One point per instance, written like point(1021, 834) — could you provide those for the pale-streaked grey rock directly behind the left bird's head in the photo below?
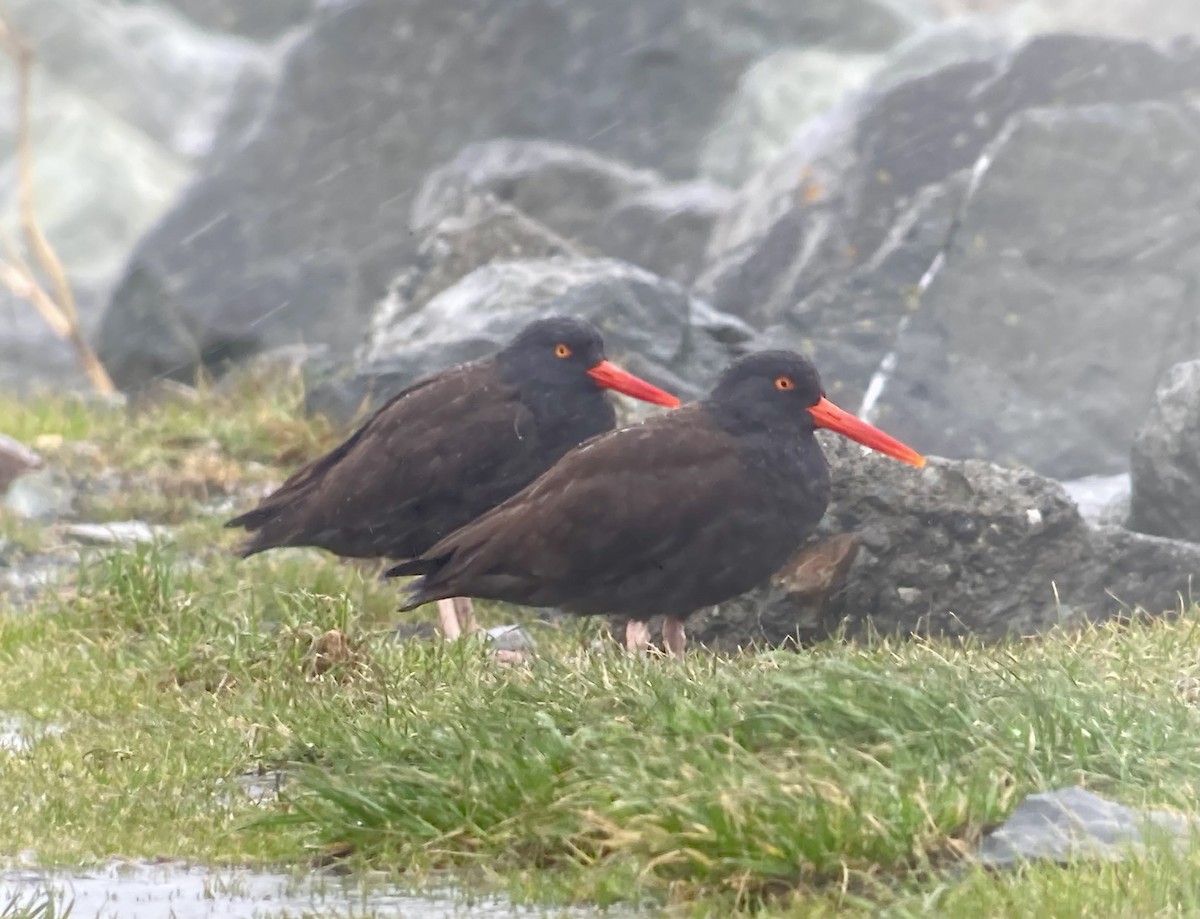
point(652, 327)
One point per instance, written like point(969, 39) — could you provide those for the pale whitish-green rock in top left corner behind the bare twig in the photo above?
point(125, 99)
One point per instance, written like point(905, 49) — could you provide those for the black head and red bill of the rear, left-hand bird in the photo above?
point(568, 353)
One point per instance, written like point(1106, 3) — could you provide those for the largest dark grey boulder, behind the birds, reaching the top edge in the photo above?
point(297, 233)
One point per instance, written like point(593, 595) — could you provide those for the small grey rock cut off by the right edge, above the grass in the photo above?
point(1167, 459)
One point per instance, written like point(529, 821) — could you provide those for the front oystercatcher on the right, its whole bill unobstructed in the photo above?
point(683, 512)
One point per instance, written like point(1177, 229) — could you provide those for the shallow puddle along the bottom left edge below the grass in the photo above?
point(182, 892)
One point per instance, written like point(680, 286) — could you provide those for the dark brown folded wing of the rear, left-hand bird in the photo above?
point(433, 459)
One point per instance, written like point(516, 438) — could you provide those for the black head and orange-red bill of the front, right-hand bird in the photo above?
point(781, 392)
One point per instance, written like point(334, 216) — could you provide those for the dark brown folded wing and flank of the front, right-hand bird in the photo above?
point(655, 519)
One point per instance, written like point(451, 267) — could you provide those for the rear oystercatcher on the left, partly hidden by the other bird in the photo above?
point(446, 451)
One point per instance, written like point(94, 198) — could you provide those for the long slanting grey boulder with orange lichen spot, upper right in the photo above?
point(833, 200)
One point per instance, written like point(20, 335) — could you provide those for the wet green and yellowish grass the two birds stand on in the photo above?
point(847, 780)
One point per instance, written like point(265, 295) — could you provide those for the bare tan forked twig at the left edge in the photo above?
point(58, 309)
